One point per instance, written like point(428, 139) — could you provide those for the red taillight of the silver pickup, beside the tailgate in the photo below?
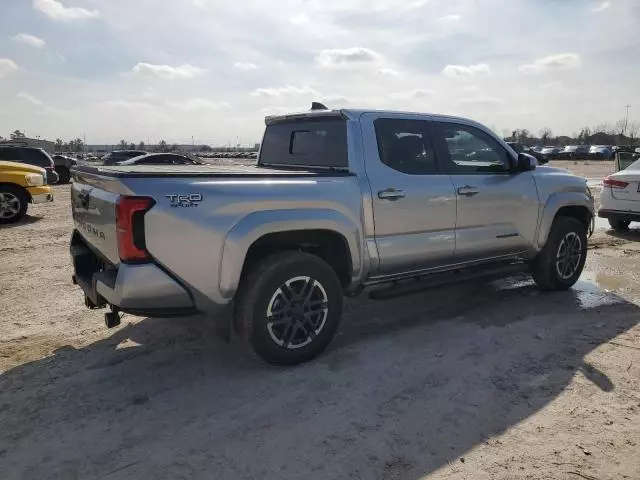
point(130, 227)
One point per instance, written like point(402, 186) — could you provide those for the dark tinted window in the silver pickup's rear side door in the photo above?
point(404, 145)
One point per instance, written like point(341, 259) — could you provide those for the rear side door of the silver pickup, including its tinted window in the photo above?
point(414, 203)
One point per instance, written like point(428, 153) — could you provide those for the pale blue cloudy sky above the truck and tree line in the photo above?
point(150, 70)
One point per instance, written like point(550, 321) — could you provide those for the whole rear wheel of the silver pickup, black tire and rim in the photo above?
point(289, 308)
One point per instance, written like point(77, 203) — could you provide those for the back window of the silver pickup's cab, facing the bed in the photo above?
point(320, 143)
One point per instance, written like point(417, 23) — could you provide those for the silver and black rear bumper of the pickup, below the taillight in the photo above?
point(139, 289)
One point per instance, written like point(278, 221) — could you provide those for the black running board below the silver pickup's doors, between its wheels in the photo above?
point(436, 280)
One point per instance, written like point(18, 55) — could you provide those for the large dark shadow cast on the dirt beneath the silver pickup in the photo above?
point(409, 385)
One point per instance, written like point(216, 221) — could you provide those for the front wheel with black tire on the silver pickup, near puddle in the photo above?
point(560, 263)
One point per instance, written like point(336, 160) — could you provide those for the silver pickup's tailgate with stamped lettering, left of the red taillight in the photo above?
point(94, 216)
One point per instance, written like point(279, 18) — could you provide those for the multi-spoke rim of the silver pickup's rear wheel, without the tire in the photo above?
point(297, 312)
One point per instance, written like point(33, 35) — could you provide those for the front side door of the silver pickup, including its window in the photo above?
point(497, 210)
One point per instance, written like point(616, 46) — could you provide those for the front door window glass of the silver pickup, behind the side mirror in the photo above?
point(470, 150)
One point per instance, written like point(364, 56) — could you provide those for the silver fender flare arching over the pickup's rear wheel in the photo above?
point(258, 224)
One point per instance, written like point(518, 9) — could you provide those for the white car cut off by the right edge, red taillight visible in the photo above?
point(620, 197)
